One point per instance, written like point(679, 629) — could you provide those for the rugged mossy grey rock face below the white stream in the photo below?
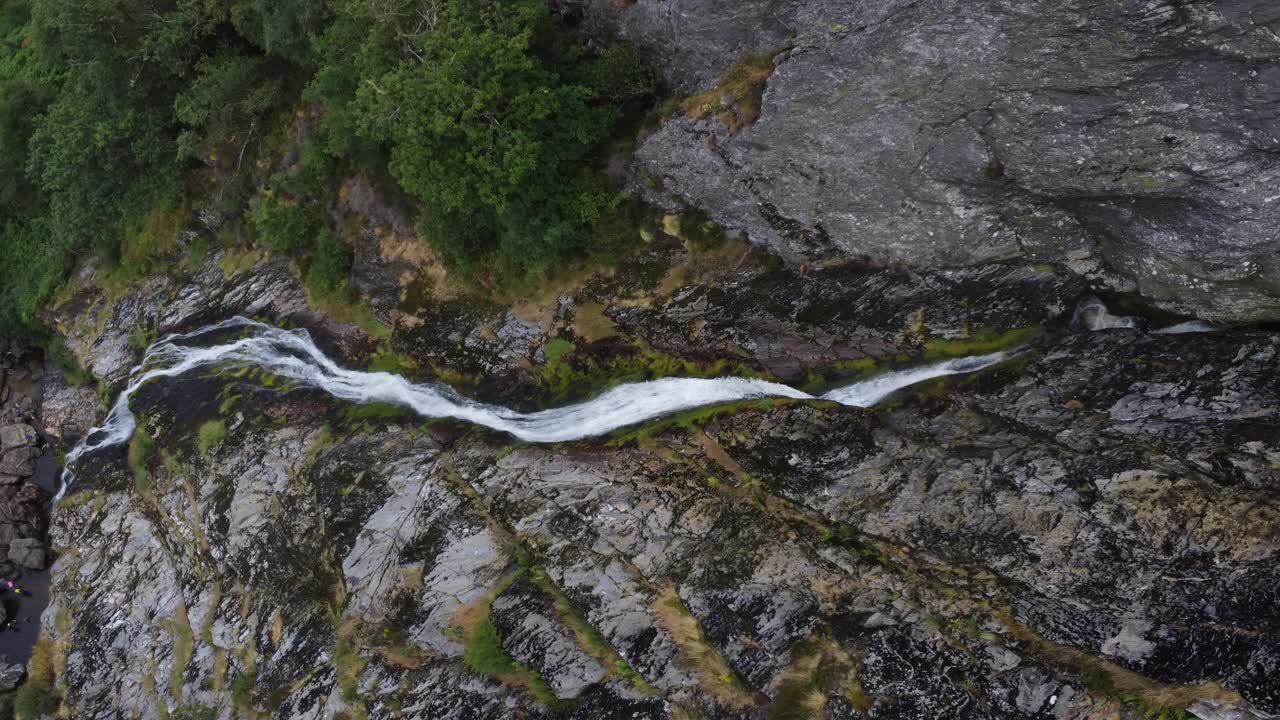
point(1090, 527)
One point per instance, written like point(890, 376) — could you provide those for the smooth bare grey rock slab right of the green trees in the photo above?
point(1133, 143)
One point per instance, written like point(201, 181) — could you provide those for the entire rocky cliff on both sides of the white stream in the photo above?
point(1087, 531)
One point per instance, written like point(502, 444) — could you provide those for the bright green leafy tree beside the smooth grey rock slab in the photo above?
point(483, 122)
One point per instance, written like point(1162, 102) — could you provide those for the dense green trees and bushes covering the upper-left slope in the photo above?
point(482, 115)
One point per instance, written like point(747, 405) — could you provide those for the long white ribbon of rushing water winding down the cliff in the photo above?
point(292, 354)
